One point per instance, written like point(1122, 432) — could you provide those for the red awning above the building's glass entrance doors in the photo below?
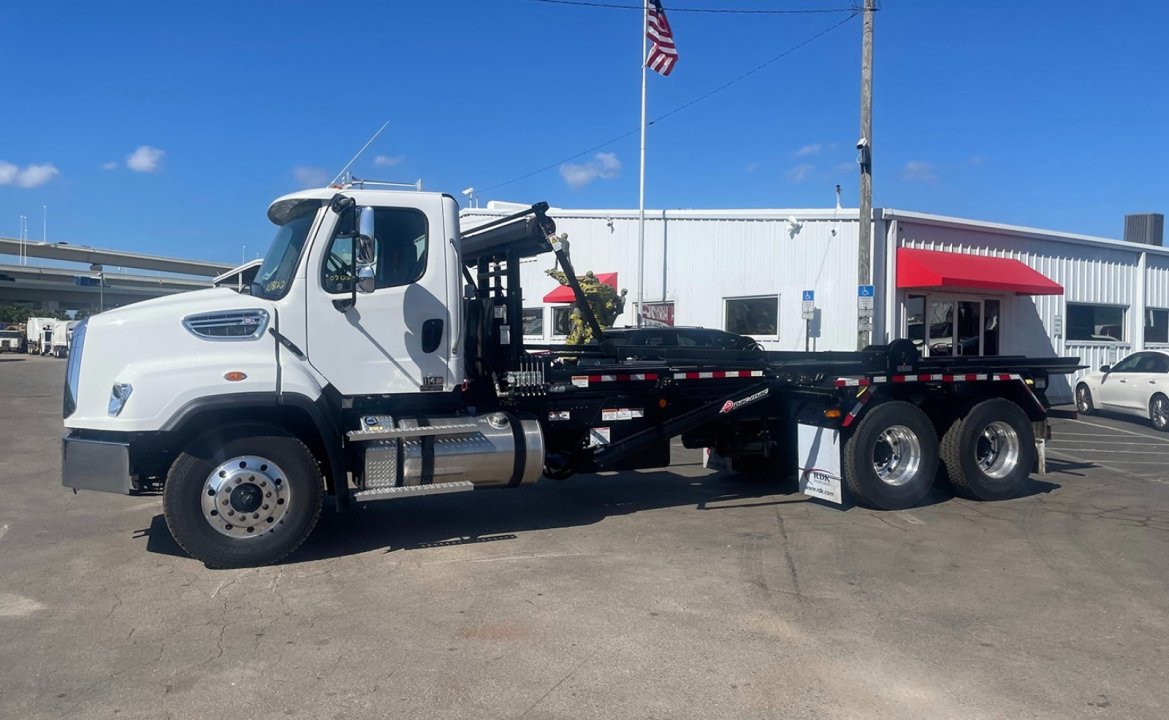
point(933, 269)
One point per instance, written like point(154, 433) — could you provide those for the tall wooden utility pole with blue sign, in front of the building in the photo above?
point(866, 160)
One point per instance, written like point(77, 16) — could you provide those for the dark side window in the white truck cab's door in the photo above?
point(402, 237)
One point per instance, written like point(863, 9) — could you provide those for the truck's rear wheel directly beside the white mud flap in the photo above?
point(891, 461)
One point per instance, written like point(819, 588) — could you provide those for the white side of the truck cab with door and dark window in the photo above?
point(396, 340)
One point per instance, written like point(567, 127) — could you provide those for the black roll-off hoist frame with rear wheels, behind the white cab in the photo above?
point(895, 416)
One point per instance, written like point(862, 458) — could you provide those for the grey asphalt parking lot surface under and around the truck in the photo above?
point(676, 593)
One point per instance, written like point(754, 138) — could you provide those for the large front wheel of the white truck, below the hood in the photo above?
point(243, 496)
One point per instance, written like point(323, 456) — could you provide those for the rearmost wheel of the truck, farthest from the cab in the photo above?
point(990, 454)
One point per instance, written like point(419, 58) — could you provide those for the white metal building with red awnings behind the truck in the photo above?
point(1030, 293)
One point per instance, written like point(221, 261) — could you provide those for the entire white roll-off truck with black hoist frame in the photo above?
point(379, 355)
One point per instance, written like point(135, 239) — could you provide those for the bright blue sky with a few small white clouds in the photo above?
point(168, 128)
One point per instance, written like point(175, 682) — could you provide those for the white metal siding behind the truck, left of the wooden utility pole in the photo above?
point(697, 259)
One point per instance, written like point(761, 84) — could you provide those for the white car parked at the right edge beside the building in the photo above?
point(1138, 385)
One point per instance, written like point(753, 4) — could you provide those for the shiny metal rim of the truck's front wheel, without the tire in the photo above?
point(246, 497)
